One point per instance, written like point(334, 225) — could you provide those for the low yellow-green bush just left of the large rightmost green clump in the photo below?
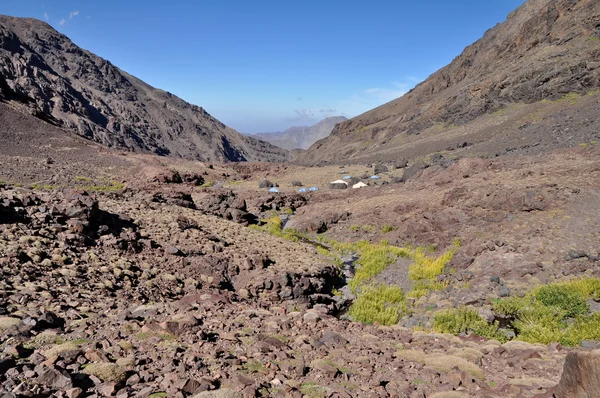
point(466, 320)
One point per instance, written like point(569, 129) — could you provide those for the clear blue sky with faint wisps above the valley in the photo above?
point(267, 65)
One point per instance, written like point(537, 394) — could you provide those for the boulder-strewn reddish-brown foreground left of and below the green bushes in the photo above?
point(136, 296)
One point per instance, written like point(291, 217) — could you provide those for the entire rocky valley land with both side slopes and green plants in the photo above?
point(466, 266)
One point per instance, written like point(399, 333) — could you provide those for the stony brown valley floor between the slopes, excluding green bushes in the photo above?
point(154, 283)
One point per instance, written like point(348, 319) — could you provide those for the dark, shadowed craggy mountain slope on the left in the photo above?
point(81, 92)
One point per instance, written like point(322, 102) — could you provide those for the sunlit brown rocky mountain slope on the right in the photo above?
point(546, 50)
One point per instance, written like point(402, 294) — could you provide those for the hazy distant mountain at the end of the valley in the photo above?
point(302, 137)
